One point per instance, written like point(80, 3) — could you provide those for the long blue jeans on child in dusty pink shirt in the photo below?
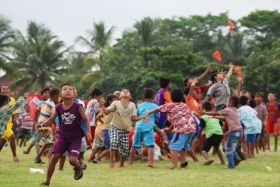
point(233, 140)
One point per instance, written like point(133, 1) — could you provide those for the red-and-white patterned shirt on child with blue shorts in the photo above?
point(180, 117)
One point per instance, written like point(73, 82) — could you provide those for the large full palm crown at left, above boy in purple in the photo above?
point(38, 57)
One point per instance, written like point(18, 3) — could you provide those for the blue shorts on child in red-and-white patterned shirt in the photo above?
point(181, 142)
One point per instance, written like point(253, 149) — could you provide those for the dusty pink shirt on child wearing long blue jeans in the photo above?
point(232, 118)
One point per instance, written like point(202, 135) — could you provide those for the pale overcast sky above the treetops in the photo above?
point(71, 18)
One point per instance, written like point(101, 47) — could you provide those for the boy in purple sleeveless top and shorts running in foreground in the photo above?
point(70, 116)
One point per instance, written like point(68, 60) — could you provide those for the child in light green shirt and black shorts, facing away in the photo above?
point(213, 132)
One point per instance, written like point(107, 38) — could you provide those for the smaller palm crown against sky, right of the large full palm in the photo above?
point(97, 40)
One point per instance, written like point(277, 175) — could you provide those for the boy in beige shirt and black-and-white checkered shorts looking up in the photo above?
point(124, 112)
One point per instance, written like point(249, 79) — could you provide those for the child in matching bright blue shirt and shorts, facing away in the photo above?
point(144, 131)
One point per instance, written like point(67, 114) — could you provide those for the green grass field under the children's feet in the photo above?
point(264, 170)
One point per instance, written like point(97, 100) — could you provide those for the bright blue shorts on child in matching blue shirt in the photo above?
point(143, 136)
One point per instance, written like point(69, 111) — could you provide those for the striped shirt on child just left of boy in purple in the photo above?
point(47, 109)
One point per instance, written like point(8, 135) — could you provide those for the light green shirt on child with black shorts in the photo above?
point(211, 126)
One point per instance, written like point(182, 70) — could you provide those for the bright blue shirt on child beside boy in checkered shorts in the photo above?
point(141, 111)
